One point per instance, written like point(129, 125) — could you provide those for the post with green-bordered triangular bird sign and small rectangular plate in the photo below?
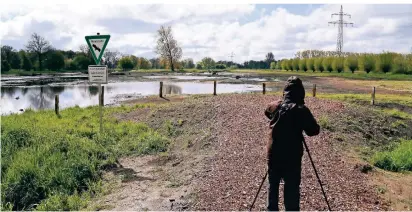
point(98, 73)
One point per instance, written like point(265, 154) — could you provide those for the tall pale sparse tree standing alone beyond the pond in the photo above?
point(167, 46)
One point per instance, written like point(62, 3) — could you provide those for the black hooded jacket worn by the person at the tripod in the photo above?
point(289, 119)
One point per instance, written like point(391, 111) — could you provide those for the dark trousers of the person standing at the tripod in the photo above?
point(291, 174)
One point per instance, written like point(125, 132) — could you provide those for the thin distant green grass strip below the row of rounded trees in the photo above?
point(346, 74)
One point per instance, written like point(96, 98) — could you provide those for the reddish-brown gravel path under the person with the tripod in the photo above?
point(234, 175)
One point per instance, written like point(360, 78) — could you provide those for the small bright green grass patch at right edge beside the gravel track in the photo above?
point(397, 159)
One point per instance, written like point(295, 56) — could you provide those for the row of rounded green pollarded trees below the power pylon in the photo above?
point(384, 62)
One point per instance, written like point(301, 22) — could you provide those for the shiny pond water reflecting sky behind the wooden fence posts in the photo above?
point(15, 98)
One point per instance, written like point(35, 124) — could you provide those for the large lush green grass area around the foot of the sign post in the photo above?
point(56, 162)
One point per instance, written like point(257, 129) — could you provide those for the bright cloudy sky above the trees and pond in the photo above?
point(250, 31)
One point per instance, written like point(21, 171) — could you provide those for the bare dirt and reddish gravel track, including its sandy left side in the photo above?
point(225, 136)
